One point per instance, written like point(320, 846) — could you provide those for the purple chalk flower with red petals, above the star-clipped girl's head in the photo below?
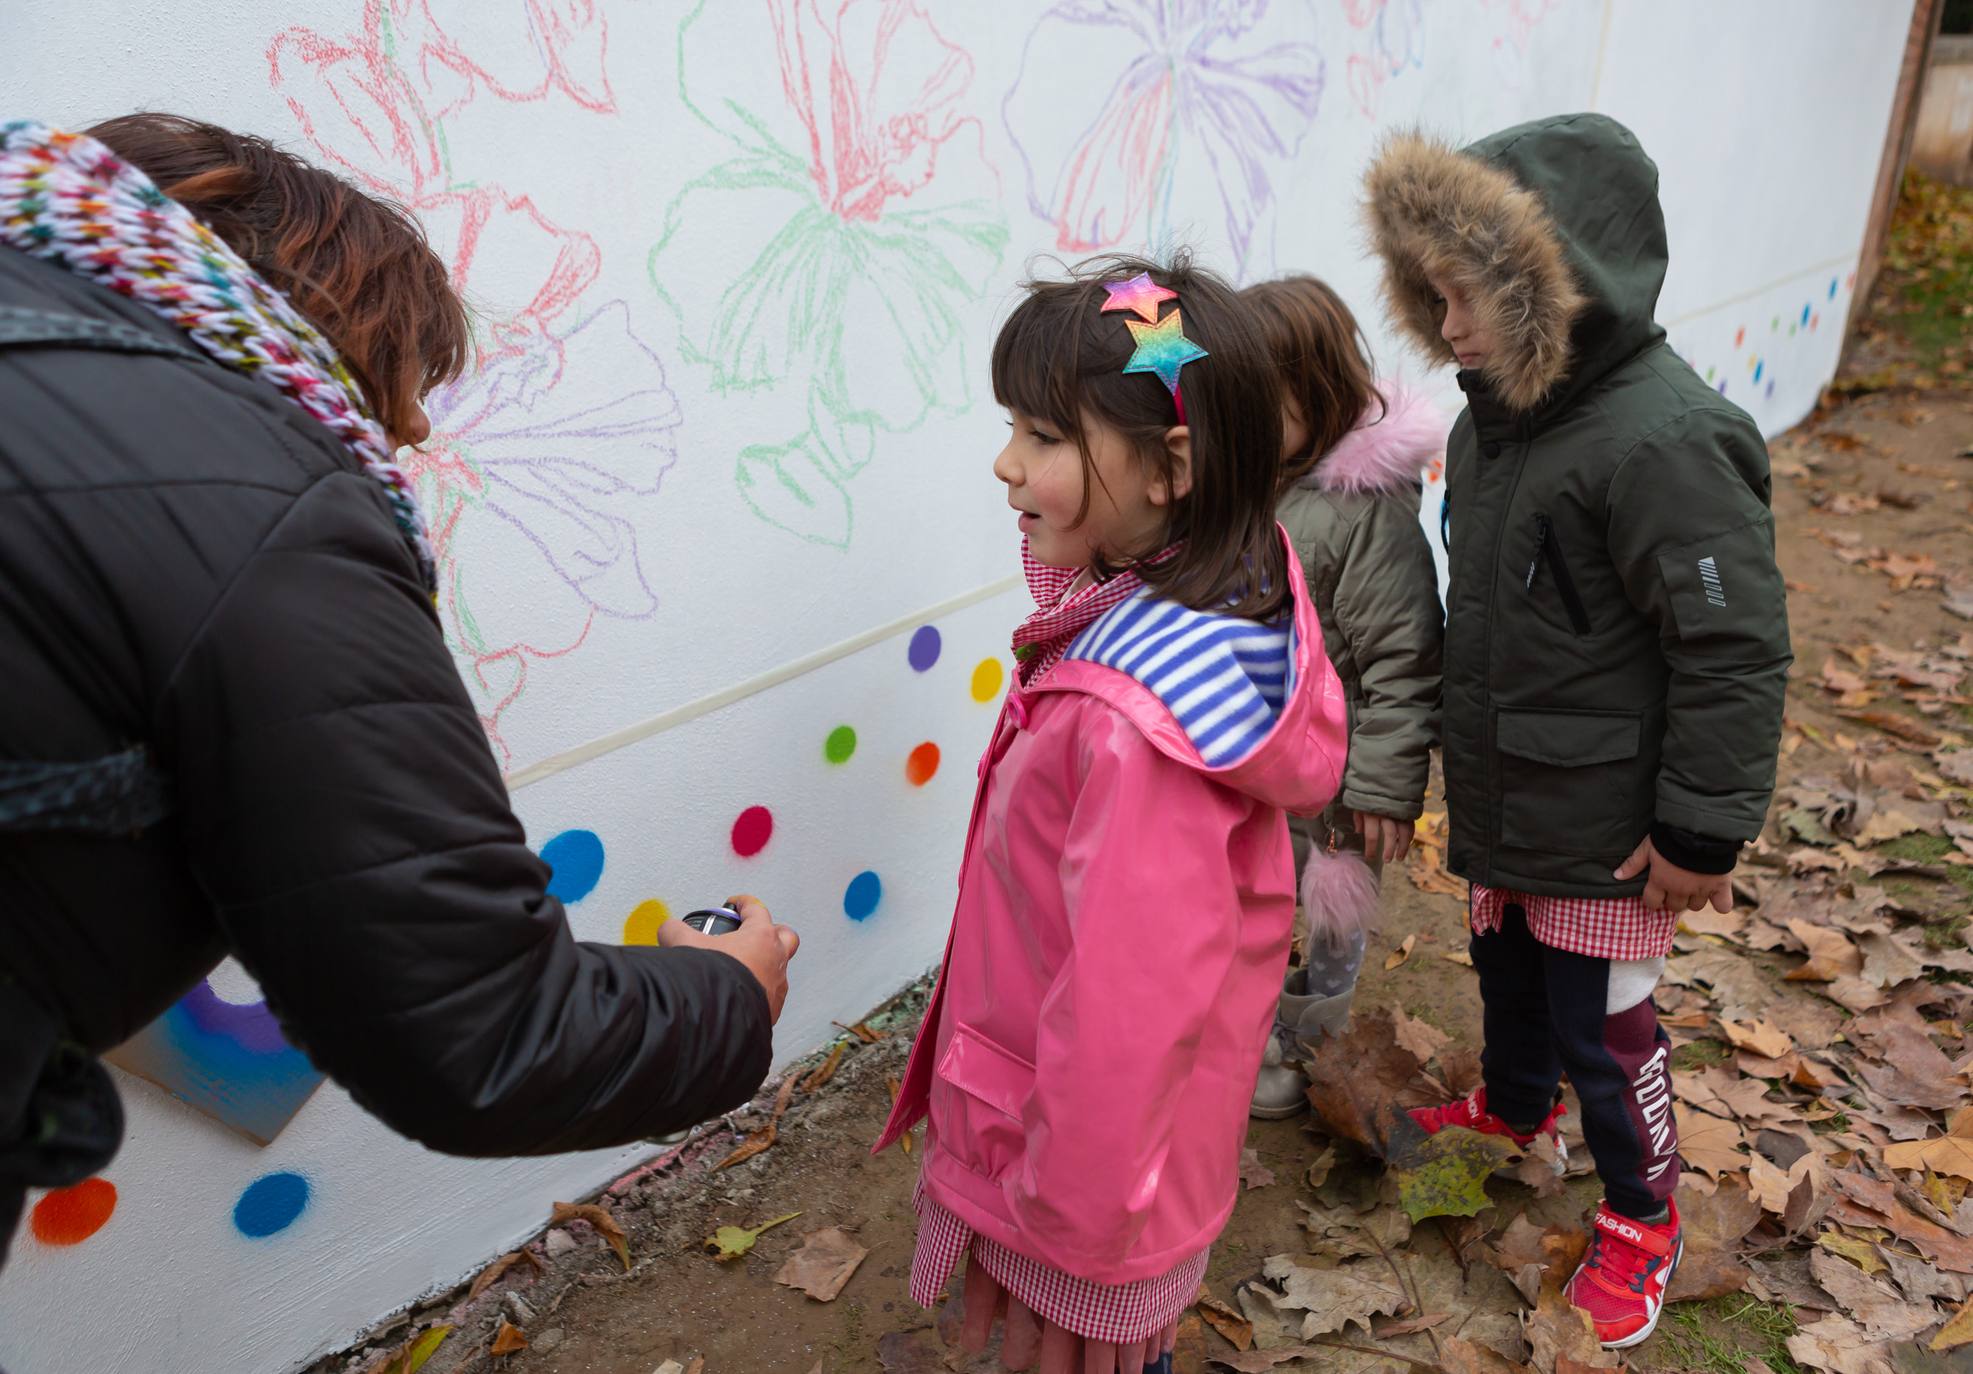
point(1124, 108)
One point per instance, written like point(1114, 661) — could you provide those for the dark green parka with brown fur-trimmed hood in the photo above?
point(1617, 639)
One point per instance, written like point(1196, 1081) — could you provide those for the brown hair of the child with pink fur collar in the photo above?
point(1321, 360)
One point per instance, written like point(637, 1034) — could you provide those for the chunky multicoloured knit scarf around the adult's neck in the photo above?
point(70, 200)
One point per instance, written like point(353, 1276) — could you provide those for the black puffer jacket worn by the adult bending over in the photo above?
point(192, 564)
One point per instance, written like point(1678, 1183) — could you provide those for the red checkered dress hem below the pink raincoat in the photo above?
point(1118, 1314)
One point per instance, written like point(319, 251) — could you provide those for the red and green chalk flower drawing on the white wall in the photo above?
point(857, 194)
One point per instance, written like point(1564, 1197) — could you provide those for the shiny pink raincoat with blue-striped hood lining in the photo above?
point(1116, 960)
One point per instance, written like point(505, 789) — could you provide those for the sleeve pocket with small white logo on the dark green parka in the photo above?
point(1725, 591)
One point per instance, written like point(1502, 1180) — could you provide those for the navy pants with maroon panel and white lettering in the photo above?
point(1546, 1016)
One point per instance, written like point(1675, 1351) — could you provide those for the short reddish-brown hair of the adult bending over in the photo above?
point(352, 266)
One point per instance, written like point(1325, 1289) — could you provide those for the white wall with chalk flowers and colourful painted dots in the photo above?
point(664, 495)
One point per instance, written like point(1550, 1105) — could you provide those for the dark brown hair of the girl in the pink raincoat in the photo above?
point(1060, 360)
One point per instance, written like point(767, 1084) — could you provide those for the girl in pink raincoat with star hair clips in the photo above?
point(1128, 887)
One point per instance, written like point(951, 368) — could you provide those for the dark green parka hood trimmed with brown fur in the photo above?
point(1552, 230)
